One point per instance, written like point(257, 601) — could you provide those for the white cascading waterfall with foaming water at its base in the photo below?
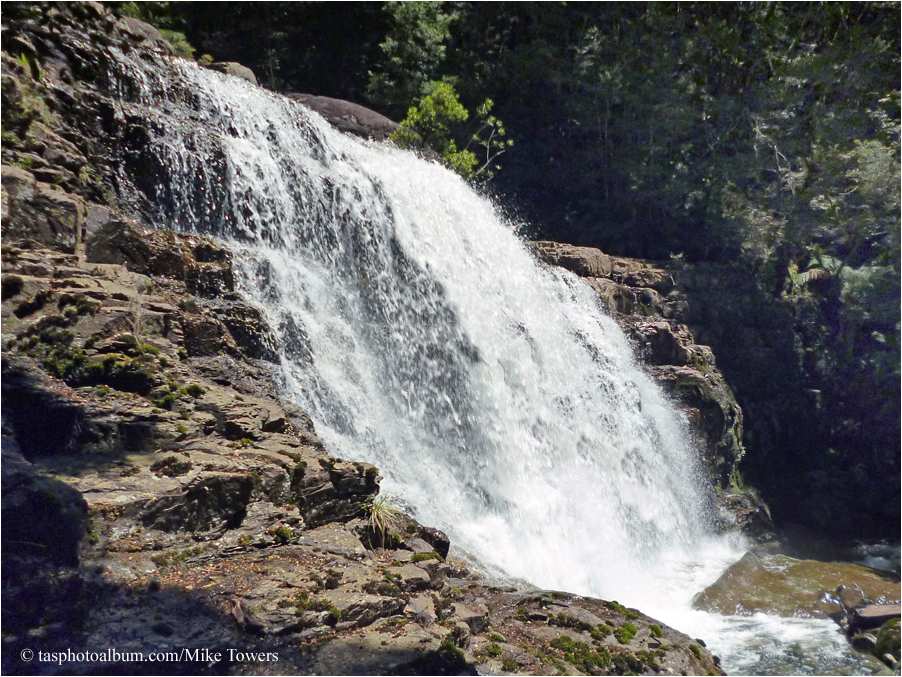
point(498, 399)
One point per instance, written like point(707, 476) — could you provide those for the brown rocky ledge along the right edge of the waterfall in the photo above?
point(650, 306)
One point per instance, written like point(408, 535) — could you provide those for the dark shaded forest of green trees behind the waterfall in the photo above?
point(758, 135)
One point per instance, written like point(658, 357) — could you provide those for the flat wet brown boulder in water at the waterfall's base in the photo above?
point(783, 586)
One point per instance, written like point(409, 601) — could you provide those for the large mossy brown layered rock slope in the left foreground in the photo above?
point(203, 513)
